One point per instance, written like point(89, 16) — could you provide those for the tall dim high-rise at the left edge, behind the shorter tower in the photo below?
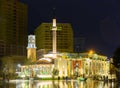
point(13, 27)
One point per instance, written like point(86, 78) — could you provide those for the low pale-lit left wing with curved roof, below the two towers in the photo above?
point(42, 69)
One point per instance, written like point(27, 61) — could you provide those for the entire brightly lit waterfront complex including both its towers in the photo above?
point(63, 64)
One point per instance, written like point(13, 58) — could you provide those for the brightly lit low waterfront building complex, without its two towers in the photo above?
point(71, 65)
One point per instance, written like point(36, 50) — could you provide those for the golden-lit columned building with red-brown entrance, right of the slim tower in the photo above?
point(81, 63)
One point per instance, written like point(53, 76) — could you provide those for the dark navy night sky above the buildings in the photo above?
point(97, 20)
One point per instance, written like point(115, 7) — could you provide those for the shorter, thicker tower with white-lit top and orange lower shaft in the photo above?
point(31, 48)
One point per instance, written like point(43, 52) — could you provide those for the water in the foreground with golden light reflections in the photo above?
point(58, 84)
